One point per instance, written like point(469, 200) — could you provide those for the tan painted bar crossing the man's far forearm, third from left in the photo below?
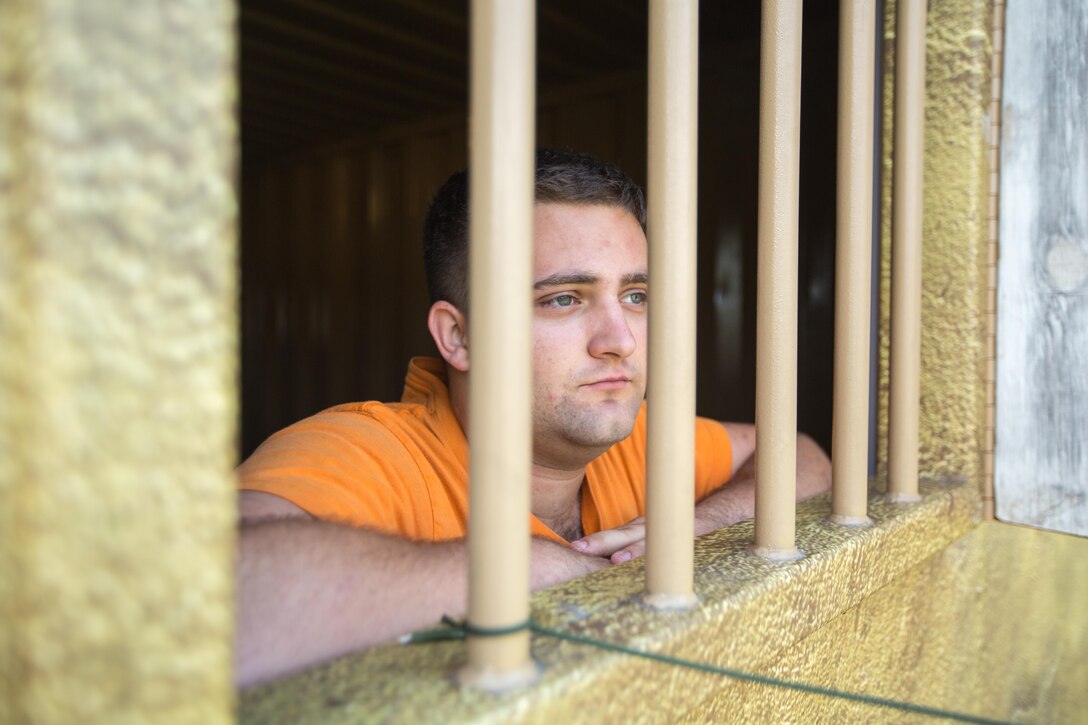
point(776, 386)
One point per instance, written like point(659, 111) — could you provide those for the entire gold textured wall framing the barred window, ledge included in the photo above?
point(117, 427)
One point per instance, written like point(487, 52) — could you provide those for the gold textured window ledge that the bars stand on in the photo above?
point(752, 612)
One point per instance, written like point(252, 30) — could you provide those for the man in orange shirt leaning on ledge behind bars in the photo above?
point(353, 521)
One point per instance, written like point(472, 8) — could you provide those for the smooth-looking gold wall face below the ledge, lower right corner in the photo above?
point(993, 626)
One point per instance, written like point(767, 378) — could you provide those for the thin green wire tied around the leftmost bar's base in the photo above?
point(460, 631)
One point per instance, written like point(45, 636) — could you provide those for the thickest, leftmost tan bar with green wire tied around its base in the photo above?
point(503, 97)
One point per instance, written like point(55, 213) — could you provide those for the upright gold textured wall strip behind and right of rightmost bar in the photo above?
point(955, 231)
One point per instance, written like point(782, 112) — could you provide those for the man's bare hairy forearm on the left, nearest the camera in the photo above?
point(310, 591)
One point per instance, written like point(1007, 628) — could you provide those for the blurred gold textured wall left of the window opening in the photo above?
point(118, 361)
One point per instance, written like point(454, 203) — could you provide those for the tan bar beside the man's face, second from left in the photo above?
point(674, 103)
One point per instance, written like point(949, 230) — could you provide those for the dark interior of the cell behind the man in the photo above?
point(353, 114)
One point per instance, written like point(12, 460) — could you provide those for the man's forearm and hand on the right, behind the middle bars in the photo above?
point(730, 505)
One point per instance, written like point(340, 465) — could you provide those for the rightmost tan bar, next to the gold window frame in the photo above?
point(907, 251)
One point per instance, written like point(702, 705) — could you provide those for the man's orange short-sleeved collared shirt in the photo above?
point(403, 468)
